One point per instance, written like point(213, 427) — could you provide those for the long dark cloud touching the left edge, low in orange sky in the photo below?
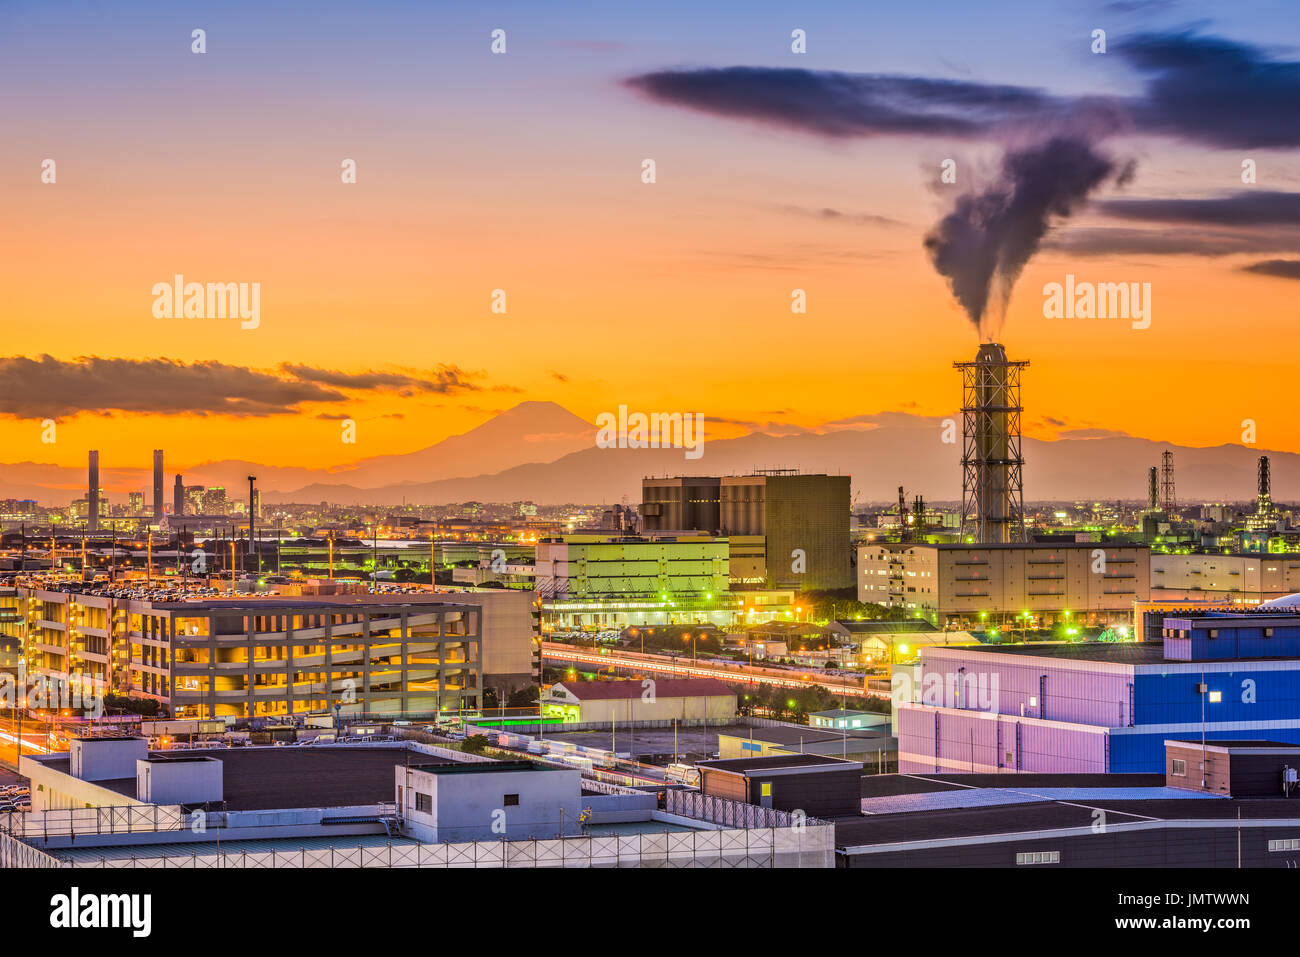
point(51, 388)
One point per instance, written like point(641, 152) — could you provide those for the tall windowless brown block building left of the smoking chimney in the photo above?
point(788, 530)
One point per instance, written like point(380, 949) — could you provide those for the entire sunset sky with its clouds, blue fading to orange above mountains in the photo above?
point(523, 172)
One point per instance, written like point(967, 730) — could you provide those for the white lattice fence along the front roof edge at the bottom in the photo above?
point(811, 847)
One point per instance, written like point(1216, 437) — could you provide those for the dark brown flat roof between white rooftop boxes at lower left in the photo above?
point(275, 778)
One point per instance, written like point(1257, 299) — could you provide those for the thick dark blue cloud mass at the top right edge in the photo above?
point(1214, 90)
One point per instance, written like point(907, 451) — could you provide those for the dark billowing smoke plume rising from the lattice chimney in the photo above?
point(985, 243)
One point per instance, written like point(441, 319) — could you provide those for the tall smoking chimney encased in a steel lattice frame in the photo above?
point(993, 492)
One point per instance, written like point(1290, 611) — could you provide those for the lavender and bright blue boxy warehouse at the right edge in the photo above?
point(1103, 708)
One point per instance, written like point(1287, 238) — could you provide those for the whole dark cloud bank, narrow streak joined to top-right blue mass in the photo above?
point(1201, 89)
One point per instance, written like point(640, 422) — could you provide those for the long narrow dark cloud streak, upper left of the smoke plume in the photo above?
point(847, 105)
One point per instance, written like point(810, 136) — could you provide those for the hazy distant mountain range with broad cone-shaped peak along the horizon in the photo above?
point(543, 453)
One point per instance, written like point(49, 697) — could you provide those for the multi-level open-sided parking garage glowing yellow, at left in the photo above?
point(252, 657)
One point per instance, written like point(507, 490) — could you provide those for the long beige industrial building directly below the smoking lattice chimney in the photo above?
point(976, 586)
